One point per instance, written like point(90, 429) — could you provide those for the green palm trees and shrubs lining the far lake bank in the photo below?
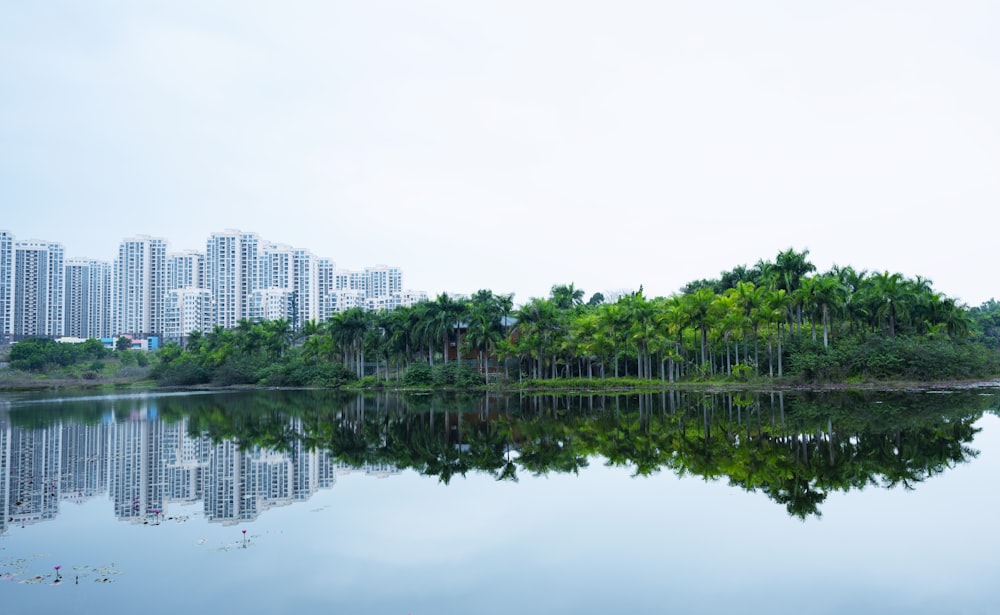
point(776, 319)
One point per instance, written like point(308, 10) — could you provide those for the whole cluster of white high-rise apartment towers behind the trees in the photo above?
point(150, 291)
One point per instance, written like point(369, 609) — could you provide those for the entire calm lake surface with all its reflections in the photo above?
point(666, 503)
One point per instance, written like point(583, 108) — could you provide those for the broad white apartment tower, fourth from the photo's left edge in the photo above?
point(140, 280)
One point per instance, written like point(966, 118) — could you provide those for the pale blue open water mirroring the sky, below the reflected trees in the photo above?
point(601, 542)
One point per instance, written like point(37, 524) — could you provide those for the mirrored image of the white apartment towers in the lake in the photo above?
point(144, 465)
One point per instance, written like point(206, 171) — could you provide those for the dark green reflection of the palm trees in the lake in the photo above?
point(794, 448)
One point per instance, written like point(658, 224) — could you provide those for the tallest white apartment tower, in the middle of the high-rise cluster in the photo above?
point(232, 273)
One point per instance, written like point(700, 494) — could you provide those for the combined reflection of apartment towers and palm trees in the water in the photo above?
point(241, 454)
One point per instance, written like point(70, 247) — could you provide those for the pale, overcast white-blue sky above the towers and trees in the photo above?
point(514, 145)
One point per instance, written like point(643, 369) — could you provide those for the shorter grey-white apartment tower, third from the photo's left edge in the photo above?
point(87, 311)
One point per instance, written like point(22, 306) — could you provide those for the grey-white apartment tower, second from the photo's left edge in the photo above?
point(37, 289)
